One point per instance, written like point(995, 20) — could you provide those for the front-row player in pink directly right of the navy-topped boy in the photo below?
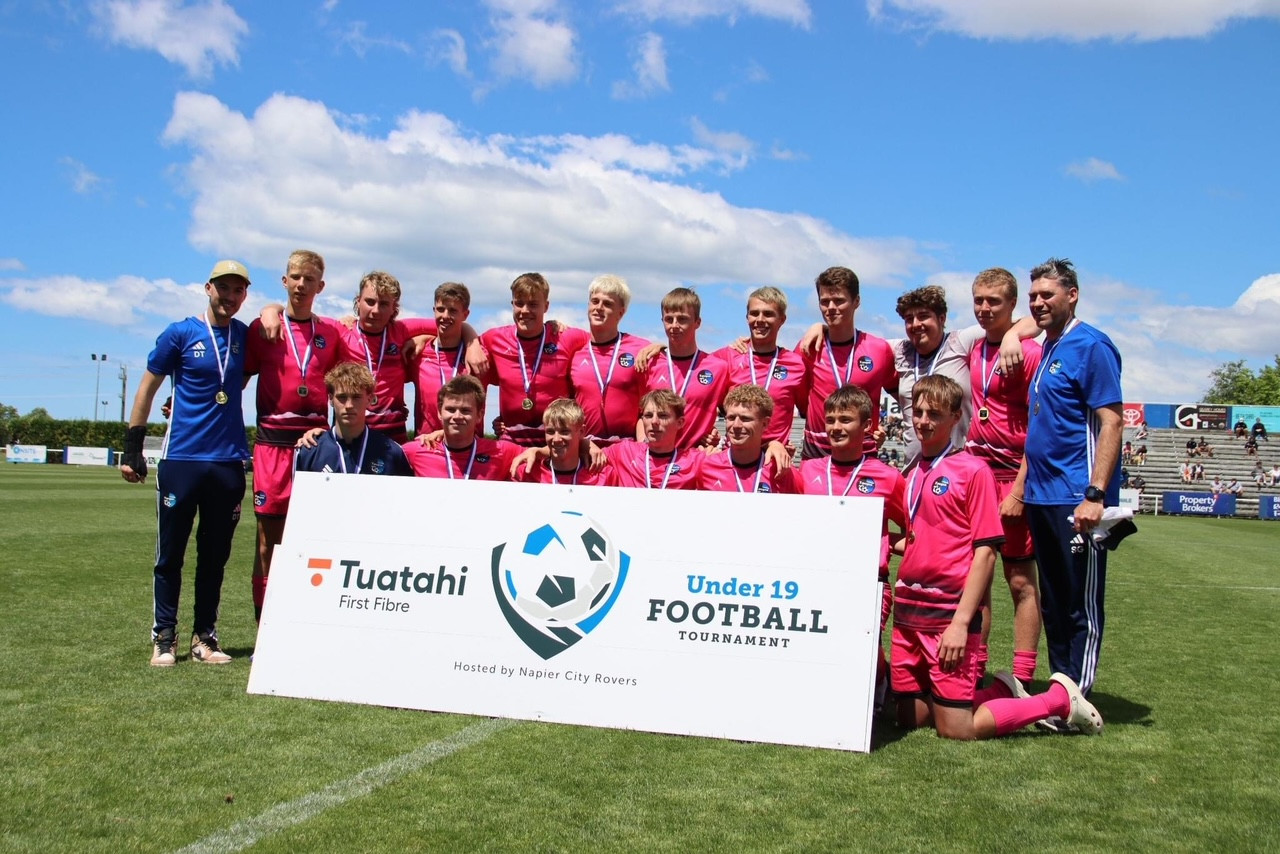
point(463, 455)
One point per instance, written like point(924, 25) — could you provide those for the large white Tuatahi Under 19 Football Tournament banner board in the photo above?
point(737, 616)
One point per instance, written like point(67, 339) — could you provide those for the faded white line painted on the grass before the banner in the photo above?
point(244, 834)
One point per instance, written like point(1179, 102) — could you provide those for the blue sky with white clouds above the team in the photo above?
point(719, 144)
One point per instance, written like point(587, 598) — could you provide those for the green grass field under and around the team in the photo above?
point(103, 753)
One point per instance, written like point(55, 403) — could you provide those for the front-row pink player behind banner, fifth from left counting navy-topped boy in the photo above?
point(744, 465)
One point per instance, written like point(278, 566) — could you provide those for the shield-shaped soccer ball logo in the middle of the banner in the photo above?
point(557, 582)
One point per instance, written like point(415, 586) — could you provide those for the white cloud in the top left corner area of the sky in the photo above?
point(196, 36)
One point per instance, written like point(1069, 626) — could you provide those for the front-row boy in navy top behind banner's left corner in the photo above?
point(351, 447)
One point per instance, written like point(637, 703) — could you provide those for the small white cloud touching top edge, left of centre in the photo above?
point(531, 42)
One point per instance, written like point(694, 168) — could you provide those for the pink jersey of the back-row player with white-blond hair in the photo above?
point(609, 389)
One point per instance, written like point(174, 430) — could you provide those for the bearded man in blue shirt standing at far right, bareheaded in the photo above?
point(1072, 469)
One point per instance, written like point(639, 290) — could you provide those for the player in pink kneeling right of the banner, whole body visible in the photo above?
point(950, 555)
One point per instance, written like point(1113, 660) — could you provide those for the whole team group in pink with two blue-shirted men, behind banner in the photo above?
point(1013, 449)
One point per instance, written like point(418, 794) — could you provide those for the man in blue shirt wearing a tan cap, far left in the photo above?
point(203, 463)
